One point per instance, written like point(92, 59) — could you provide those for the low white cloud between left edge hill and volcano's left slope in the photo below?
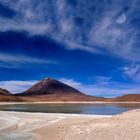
point(16, 86)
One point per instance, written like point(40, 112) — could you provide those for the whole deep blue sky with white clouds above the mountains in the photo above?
point(89, 44)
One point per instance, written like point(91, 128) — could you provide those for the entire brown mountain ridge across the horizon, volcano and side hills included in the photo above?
point(49, 89)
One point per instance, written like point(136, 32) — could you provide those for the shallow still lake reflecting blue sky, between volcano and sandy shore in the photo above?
point(95, 108)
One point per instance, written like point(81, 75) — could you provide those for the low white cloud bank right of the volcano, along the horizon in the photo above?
point(109, 89)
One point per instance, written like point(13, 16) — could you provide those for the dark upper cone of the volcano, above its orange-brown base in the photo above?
point(50, 86)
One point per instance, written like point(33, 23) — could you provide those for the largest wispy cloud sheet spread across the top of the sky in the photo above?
point(79, 27)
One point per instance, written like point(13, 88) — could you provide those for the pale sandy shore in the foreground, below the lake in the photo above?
point(41, 126)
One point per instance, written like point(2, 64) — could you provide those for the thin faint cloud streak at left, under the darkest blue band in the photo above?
point(17, 61)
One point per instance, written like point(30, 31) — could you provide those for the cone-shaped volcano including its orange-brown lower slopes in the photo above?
point(50, 89)
